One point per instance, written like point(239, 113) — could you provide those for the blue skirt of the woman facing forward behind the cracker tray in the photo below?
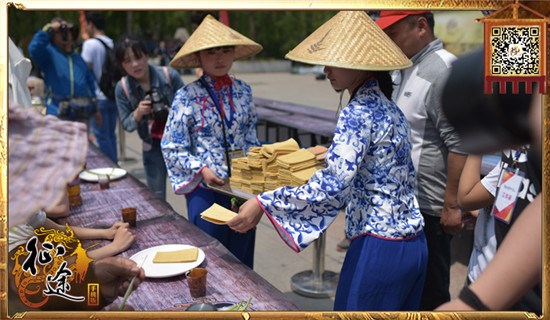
point(241, 245)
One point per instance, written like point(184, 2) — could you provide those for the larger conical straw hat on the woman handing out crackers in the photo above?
point(350, 40)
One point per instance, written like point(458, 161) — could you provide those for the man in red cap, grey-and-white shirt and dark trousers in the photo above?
point(436, 151)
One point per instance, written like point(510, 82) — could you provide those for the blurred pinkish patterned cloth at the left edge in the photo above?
point(44, 154)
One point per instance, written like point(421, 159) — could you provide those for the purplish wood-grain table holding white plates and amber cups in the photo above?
point(158, 224)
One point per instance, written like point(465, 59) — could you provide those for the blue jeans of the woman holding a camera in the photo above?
point(155, 169)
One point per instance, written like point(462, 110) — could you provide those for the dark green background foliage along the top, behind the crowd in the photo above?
point(278, 31)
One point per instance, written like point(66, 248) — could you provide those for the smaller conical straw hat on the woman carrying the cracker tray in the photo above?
point(211, 34)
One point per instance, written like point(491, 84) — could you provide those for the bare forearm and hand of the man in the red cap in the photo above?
point(451, 215)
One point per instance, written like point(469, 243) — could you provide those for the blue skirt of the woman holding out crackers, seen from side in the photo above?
point(382, 275)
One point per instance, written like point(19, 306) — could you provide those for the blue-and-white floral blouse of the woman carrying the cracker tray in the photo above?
point(193, 137)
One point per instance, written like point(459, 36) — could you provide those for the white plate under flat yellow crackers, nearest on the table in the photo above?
point(164, 270)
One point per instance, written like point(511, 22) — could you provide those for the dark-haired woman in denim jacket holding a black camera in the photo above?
point(143, 98)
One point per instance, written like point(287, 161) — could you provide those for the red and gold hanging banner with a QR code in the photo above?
point(515, 48)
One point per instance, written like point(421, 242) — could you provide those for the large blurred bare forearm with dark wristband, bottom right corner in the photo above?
point(522, 243)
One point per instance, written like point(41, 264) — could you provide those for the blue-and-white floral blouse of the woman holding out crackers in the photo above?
point(369, 168)
